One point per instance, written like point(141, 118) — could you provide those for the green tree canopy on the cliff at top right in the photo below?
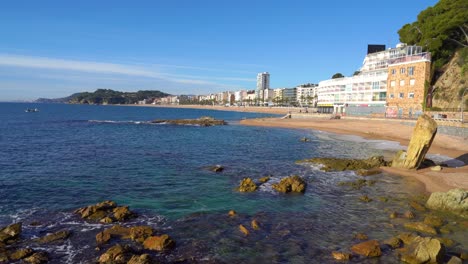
point(441, 30)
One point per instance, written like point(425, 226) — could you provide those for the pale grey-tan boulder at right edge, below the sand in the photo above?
point(455, 201)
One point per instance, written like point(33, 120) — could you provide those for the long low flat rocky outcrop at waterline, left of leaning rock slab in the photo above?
point(335, 164)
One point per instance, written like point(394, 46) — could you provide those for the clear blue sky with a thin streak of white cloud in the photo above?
point(56, 48)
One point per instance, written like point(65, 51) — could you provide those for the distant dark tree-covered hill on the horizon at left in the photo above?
point(106, 96)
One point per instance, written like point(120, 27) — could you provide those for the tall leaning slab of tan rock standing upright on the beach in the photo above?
point(421, 140)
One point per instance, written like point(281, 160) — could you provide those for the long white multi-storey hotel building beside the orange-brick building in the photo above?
point(366, 92)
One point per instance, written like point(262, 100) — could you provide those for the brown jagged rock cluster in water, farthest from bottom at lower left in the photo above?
point(106, 212)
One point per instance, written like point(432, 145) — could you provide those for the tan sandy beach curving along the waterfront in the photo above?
point(451, 146)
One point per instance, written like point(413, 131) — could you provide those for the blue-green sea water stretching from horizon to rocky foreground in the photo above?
point(69, 156)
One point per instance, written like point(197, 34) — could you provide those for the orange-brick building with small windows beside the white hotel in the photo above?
point(406, 84)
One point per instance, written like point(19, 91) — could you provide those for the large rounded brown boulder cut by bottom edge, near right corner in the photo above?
point(424, 249)
